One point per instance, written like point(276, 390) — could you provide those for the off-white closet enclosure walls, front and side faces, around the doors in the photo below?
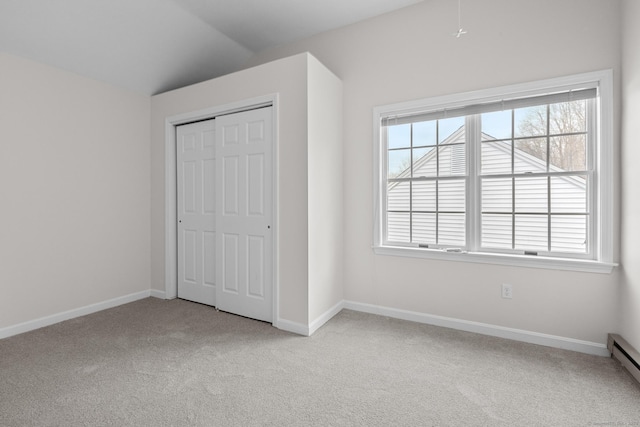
point(309, 184)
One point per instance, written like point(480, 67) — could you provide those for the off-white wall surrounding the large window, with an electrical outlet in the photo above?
point(411, 54)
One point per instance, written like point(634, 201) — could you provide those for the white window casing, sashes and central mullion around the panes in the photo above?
point(601, 207)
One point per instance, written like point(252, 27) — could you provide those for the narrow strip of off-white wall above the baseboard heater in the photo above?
point(630, 286)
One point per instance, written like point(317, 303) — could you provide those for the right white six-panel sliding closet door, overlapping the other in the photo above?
point(244, 214)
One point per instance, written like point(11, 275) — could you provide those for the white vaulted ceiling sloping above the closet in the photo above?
point(151, 46)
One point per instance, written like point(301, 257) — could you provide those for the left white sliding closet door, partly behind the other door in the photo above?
point(196, 180)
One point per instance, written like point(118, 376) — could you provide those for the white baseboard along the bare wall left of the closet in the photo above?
point(70, 314)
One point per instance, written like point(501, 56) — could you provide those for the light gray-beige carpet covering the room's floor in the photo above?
point(176, 363)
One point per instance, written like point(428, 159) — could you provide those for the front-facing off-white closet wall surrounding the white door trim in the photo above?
point(288, 78)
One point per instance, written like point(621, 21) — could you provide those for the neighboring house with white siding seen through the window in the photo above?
point(430, 208)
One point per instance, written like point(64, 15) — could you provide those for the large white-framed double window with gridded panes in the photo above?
point(516, 175)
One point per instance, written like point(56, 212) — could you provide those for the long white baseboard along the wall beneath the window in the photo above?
point(484, 329)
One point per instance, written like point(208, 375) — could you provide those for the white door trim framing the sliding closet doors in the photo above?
point(170, 188)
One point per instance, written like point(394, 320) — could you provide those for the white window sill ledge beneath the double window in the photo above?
point(500, 259)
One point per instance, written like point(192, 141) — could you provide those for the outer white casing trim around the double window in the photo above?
point(604, 262)
